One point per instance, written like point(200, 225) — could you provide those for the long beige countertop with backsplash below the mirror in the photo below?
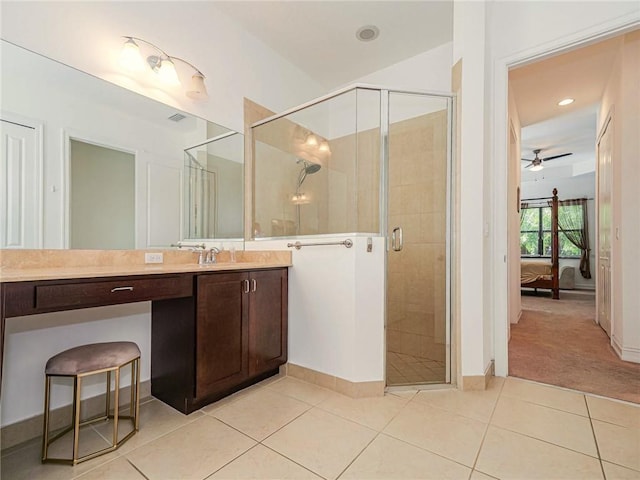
point(25, 265)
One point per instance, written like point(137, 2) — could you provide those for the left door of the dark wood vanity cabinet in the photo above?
point(221, 332)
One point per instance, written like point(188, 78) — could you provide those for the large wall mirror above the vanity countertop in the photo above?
point(88, 164)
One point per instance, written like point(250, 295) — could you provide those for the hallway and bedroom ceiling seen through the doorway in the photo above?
point(581, 74)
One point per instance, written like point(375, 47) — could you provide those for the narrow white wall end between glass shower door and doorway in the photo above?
point(469, 45)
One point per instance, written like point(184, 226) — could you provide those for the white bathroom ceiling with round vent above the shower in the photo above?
point(319, 37)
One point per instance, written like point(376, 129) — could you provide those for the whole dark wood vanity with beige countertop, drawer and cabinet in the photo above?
point(214, 329)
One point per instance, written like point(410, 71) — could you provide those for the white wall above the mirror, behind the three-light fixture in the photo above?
point(87, 36)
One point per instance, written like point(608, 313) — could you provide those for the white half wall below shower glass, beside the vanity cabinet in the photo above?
point(336, 306)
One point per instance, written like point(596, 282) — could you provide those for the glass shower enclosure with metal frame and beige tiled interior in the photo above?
point(375, 162)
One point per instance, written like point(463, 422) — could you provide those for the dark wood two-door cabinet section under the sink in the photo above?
point(233, 333)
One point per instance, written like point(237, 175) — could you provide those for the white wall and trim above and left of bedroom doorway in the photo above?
point(518, 32)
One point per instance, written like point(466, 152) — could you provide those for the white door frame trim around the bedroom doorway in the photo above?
point(500, 261)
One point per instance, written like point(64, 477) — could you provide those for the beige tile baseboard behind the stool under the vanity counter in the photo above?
point(30, 428)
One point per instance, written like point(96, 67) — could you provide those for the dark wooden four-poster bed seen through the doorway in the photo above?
point(544, 274)
